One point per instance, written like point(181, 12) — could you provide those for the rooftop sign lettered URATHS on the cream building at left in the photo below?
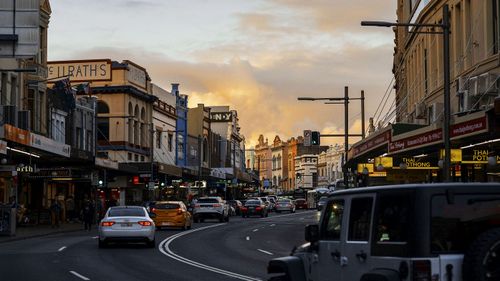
point(78, 71)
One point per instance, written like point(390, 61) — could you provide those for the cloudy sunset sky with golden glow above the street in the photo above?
point(257, 56)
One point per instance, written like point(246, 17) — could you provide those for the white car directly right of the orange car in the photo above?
point(211, 207)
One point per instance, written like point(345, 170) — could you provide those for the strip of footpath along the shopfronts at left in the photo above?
point(27, 232)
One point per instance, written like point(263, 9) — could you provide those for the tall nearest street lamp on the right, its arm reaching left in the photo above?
point(445, 31)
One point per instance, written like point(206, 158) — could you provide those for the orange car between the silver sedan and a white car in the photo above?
point(172, 214)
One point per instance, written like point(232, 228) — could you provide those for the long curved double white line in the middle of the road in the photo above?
point(164, 248)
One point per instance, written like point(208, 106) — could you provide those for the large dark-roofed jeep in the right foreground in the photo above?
point(447, 231)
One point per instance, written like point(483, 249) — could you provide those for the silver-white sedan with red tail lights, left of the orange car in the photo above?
point(127, 224)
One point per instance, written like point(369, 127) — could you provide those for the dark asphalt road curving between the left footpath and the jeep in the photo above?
point(238, 250)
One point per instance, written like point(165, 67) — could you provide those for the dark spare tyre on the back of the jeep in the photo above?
point(482, 260)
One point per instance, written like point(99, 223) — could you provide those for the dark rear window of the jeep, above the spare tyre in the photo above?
point(459, 219)
